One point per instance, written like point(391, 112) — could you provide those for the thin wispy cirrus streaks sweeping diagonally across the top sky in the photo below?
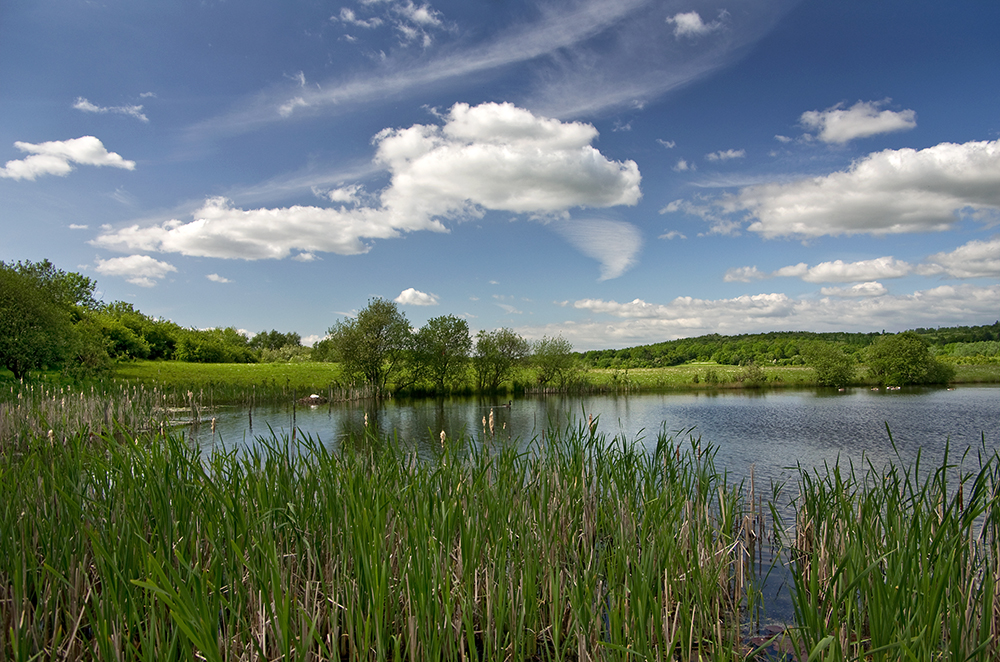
point(585, 56)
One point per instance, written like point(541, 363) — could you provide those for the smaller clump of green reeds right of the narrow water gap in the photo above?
point(896, 563)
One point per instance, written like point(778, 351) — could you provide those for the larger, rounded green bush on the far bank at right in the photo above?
point(905, 358)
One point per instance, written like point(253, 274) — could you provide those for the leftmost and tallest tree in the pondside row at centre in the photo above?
point(372, 345)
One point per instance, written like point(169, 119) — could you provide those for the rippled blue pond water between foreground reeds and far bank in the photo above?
point(770, 430)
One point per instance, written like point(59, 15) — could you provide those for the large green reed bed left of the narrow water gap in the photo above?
point(136, 547)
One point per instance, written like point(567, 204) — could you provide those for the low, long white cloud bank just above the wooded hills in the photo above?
point(639, 322)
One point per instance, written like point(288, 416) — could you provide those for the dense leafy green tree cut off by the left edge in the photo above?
point(36, 322)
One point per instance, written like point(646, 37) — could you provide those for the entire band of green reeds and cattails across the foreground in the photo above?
point(121, 541)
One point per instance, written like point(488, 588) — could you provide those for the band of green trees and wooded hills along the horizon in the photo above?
point(50, 319)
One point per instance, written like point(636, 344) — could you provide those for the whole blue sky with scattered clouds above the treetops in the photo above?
point(615, 173)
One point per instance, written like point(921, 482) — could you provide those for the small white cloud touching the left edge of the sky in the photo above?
point(58, 156)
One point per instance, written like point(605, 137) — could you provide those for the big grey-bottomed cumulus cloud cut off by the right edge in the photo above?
point(889, 192)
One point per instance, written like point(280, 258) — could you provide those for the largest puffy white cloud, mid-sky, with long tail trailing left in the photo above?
point(488, 157)
